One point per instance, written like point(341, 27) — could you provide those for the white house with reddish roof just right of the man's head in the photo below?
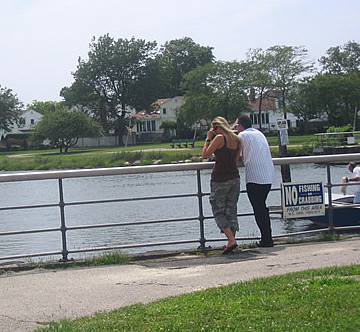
point(270, 113)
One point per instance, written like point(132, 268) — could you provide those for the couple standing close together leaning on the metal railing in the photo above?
point(251, 146)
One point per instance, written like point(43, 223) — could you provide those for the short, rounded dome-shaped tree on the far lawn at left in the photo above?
point(63, 128)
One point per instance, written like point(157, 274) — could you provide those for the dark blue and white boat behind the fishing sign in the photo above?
point(345, 213)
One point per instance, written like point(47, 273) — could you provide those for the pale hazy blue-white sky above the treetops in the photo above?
point(42, 40)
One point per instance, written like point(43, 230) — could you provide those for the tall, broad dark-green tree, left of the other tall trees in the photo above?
point(111, 78)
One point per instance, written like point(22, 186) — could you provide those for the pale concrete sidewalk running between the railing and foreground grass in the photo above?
point(31, 298)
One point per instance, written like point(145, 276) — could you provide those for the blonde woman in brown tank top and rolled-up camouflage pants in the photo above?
point(225, 181)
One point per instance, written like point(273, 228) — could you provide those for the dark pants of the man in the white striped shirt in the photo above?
point(257, 194)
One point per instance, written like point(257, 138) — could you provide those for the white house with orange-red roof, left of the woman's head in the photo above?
point(148, 123)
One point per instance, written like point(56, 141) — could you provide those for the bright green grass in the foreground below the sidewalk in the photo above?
point(315, 300)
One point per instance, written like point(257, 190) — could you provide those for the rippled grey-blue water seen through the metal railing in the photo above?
point(140, 185)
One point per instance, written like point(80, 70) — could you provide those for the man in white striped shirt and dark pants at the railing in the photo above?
point(259, 174)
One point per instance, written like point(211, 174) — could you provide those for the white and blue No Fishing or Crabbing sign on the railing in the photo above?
point(302, 199)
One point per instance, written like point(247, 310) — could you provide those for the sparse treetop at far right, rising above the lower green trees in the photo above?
point(342, 59)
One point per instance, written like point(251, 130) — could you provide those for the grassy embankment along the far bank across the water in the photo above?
point(120, 156)
